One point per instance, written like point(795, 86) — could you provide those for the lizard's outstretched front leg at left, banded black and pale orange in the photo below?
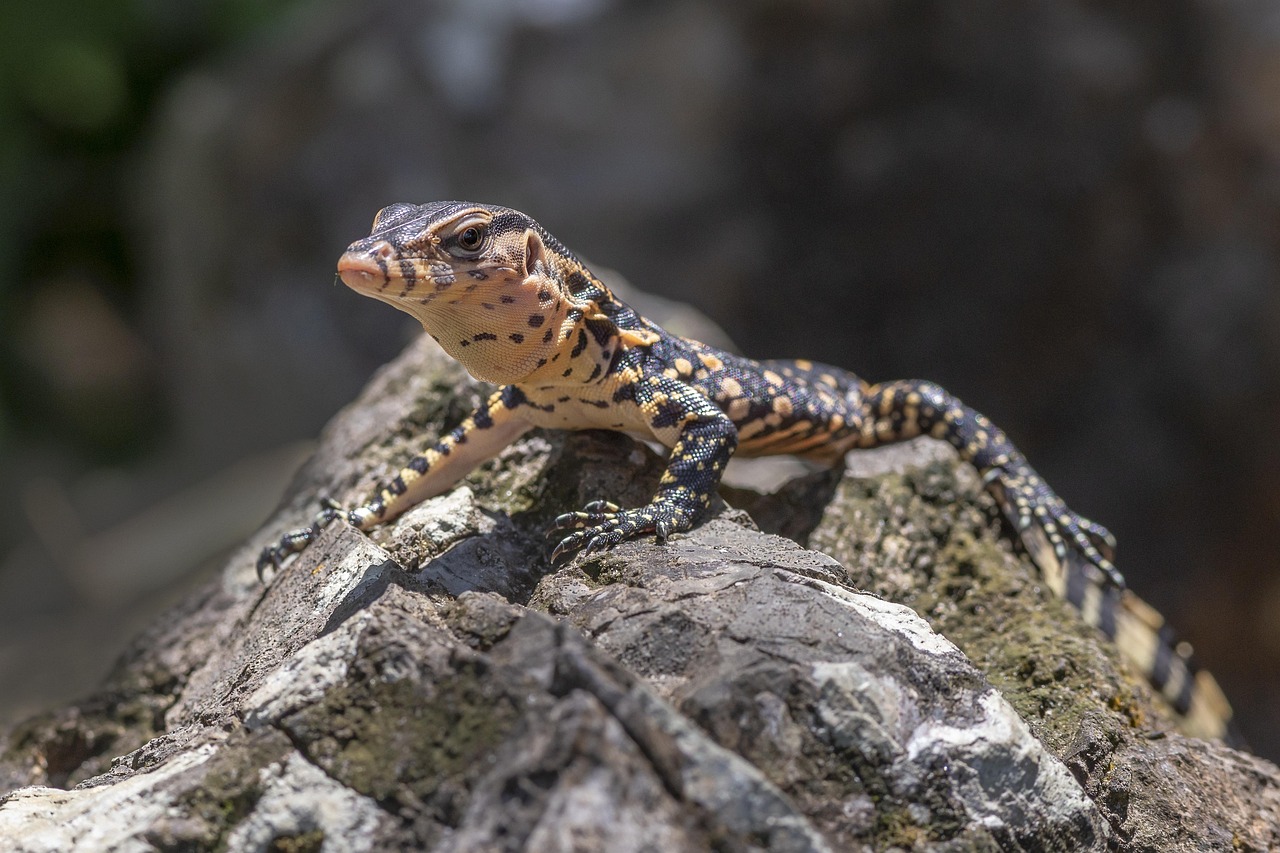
point(481, 437)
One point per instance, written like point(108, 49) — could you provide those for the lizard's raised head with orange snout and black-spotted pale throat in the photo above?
point(487, 282)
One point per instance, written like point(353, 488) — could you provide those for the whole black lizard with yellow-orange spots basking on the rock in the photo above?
point(516, 308)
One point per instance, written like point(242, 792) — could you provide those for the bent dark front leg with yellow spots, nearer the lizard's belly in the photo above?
point(706, 443)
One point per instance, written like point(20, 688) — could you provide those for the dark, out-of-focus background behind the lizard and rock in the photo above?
point(1067, 213)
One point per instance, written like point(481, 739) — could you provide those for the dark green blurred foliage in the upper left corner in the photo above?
point(80, 81)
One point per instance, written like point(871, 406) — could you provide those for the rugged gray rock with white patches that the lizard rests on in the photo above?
point(438, 686)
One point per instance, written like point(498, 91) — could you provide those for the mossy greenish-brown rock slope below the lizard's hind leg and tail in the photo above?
point(931, 539)
